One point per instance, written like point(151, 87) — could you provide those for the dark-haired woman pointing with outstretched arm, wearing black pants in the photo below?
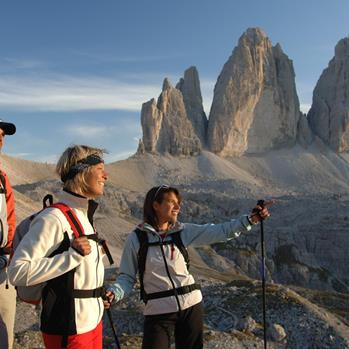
point(173, 301)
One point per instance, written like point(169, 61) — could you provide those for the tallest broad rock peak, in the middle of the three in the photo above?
point(255, 106)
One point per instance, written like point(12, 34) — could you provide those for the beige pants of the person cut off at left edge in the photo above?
point(7, 311)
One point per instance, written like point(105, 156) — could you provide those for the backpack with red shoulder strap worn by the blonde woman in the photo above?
point(32, 294)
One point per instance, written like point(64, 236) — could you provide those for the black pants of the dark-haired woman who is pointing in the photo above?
point(187, 326)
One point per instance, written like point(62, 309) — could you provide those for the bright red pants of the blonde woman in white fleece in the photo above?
point(88, 340)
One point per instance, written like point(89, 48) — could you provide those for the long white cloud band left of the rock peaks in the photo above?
point(67, 93)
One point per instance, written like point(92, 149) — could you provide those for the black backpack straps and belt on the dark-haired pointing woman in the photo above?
point(142, 256)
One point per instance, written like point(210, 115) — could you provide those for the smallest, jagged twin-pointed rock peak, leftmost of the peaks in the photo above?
point(176, 124)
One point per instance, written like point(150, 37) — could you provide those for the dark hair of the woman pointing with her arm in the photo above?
point(156, 194)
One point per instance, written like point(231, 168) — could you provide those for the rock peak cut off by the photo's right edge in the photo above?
point(329, 114)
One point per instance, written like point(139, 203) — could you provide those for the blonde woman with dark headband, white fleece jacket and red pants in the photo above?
point(72, 268)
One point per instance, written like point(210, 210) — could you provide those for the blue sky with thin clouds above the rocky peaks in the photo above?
point(78, 71)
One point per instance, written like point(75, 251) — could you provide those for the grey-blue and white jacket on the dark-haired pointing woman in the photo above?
point(156, 278)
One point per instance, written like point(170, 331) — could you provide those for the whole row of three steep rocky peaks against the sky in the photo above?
point(255, 106)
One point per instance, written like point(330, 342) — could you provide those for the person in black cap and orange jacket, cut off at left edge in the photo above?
point(8, 225)
